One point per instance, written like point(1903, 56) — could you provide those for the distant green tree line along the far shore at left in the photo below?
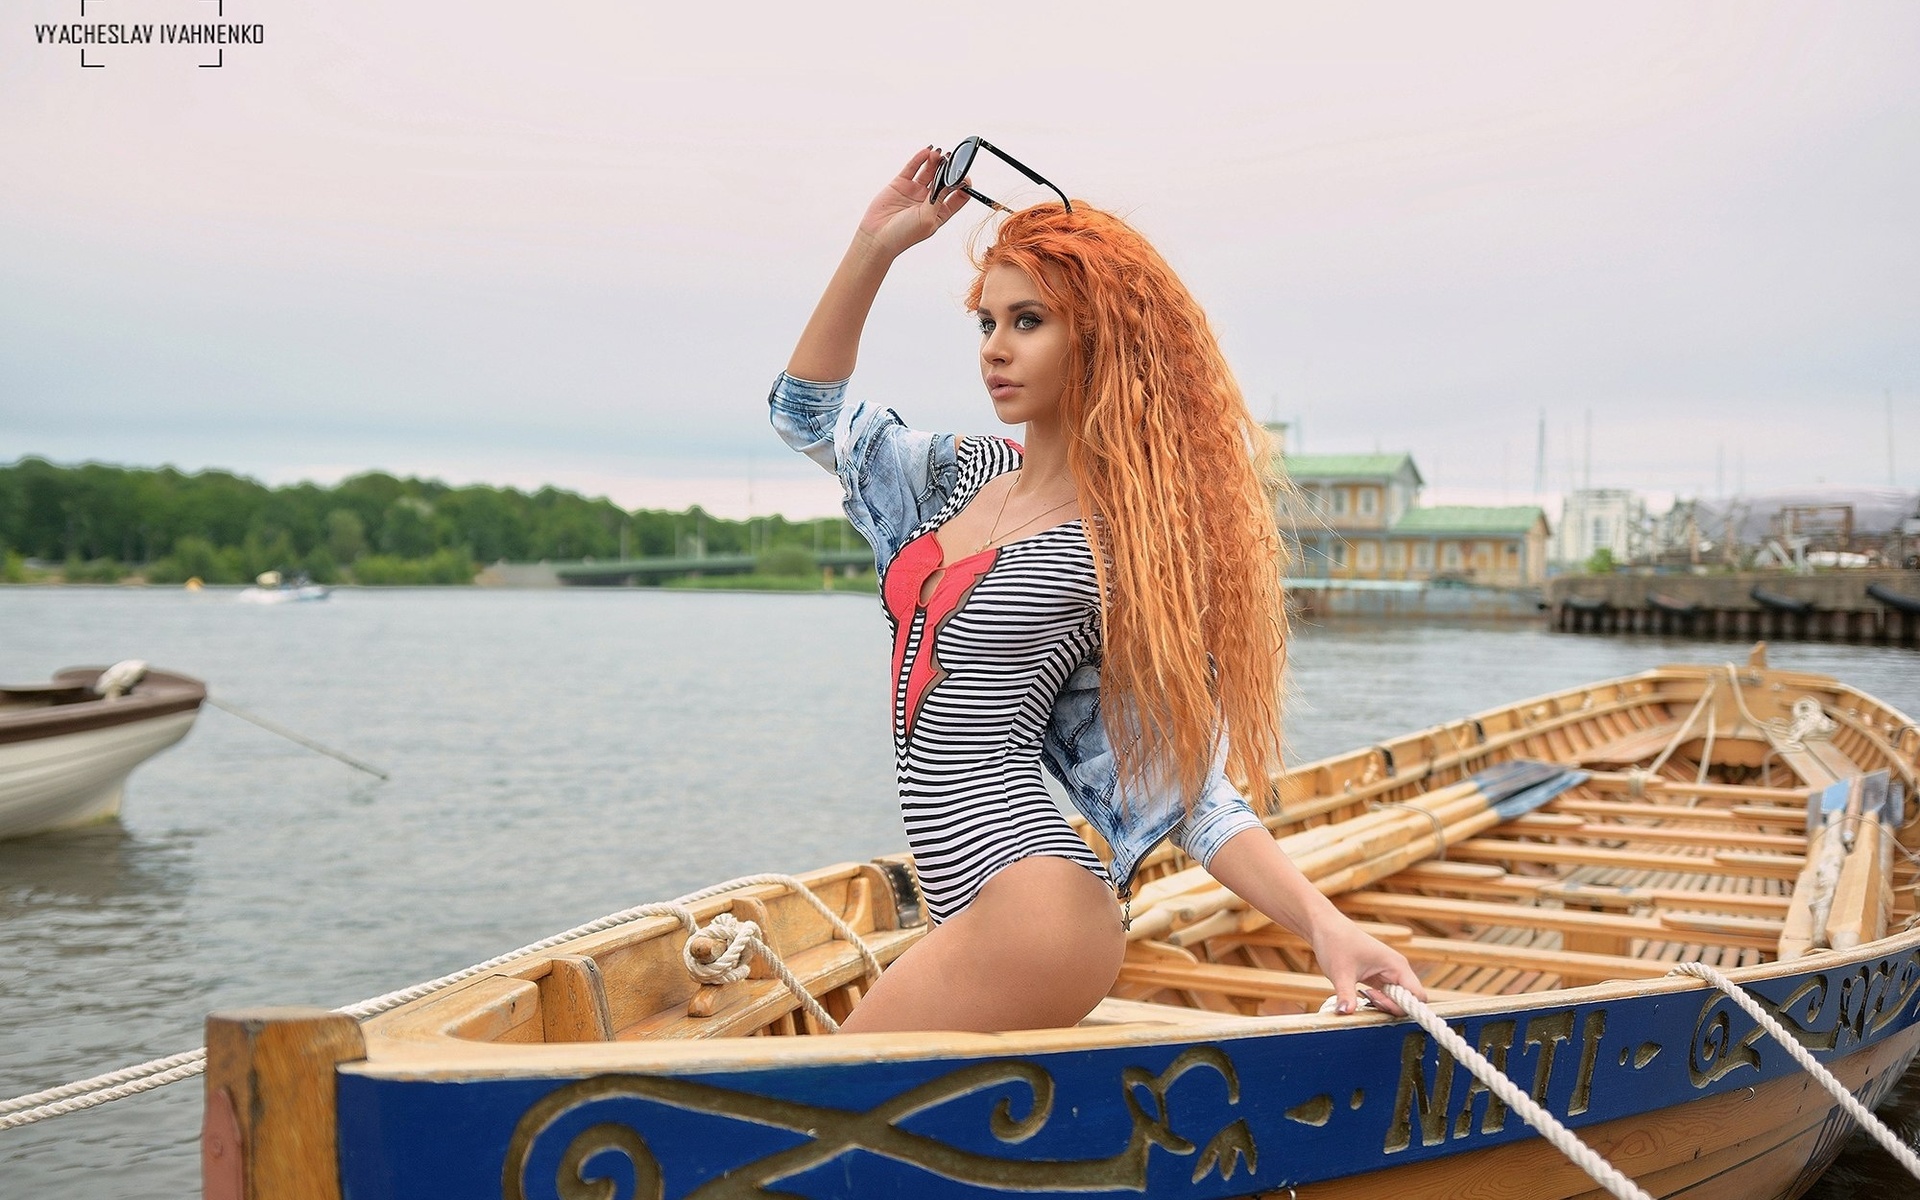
point(103, 523)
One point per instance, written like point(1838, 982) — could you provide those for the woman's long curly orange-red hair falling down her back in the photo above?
point(1178, 481)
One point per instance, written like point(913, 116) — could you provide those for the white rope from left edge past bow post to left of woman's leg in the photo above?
point(160, 1072)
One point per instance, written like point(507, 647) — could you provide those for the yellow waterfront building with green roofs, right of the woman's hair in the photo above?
point(1360, 519)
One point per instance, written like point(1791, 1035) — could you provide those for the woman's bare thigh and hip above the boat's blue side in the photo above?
point(1038, 948)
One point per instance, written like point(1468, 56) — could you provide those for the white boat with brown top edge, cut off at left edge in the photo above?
point(68, 746)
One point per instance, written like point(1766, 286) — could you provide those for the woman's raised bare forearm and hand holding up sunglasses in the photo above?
point(900, 218)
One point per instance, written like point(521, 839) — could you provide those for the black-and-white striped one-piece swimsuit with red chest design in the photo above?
point(978, 661)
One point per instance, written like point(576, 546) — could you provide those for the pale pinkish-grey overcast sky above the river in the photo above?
point(573, 245)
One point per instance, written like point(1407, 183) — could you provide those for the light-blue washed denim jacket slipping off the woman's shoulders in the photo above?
point(896, 481)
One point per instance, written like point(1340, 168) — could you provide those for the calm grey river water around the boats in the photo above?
point(556, 756)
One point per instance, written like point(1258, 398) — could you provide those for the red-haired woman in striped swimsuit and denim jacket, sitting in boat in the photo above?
point(1101, 598)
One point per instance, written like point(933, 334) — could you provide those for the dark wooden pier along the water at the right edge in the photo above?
point(1846, 606)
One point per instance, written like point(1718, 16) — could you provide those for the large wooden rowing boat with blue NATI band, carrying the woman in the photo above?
point(1748, 819)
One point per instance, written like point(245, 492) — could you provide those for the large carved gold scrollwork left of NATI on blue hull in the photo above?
point(834, 1132)
